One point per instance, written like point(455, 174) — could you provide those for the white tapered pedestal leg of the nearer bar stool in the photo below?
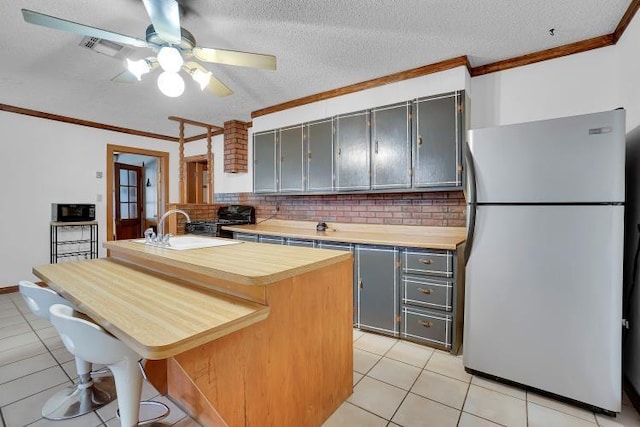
point(129, 387)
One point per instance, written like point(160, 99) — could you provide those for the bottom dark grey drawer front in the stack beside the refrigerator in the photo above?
point(429, 326)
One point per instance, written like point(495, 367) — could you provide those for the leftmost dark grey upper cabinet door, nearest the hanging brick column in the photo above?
point(264, 162)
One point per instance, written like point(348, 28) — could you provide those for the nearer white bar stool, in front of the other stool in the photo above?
point(90, 342)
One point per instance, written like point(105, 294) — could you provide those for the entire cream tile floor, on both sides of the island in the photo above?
point(396, 383)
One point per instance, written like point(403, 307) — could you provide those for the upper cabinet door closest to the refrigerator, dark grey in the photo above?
point(437, 142)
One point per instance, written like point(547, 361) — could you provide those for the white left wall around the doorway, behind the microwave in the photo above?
point(44, 162)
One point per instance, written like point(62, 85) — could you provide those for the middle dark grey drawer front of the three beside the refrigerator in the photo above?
point(426, 292)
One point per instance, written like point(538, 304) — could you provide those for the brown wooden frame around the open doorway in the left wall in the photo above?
point(163, 179)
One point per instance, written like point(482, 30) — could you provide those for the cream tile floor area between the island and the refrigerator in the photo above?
point(397, 383)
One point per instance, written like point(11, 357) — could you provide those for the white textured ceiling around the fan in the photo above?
point(320, 45)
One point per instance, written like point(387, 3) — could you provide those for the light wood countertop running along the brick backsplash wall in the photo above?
point(376, 234)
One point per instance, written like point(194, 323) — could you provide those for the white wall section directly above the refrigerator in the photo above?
point(576, 84)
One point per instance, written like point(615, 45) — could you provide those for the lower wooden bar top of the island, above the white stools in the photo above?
point(157, 317)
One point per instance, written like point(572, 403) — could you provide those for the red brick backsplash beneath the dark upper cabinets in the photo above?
point(433, 208)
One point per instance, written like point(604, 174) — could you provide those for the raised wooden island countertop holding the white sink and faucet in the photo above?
point(246, 263)
